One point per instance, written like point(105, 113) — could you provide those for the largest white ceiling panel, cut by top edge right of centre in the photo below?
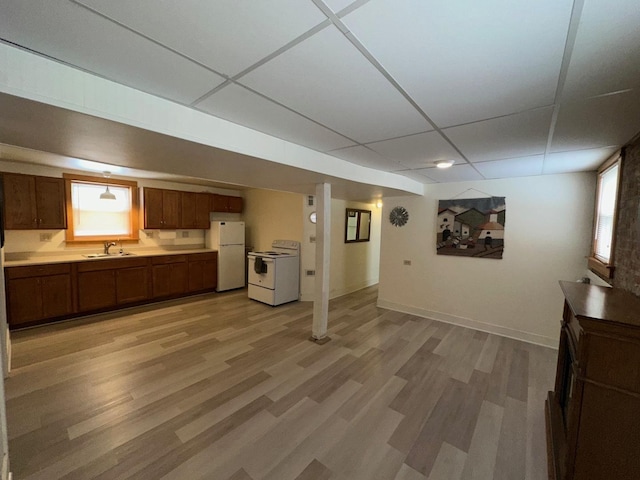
point(466, 61)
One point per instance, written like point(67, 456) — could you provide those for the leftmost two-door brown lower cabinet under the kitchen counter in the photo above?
point(38, 292)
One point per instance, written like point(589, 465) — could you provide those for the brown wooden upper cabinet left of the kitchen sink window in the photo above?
point(33, 202)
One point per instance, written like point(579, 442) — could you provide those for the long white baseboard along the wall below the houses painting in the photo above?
point(470, 323)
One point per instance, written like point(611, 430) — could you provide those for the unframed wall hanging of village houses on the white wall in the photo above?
point(471, 227)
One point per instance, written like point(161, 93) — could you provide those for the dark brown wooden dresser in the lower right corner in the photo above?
point(593, 414)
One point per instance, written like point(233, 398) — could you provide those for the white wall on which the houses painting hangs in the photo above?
point(547, 237)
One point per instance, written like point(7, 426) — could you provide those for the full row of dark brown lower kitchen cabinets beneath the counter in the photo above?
point(37, 293)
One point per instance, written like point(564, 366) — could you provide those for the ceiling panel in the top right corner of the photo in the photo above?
point(606, 44)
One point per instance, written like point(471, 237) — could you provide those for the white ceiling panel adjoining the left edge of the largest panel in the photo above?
point(327, 79)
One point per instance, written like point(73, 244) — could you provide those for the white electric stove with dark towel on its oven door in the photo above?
point(274, 275)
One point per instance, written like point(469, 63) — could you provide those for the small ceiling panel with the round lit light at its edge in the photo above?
point(417, 151)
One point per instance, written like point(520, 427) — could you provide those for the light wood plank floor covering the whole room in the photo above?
point(221, 387)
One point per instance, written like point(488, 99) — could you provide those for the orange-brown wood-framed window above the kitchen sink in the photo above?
point(101, 209)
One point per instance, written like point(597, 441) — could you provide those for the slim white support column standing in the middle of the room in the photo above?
point(323, 261)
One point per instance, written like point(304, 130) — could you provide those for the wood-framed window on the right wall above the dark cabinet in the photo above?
point(601, 260)
